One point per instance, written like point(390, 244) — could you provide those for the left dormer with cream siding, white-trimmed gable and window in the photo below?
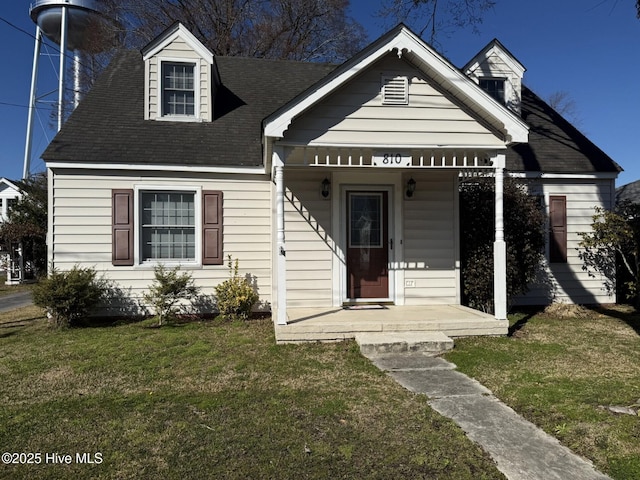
point(180, 77)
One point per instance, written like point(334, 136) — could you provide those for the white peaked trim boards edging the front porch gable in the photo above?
point(403, 41)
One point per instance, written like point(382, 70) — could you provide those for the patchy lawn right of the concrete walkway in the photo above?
point(559, 373)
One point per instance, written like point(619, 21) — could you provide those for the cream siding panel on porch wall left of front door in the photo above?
point(308, 239)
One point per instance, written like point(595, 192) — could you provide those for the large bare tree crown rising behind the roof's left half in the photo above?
point(309, 30)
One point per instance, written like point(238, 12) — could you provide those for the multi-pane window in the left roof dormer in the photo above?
point(178, 89)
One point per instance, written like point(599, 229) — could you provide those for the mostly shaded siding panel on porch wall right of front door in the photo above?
point(430, 249)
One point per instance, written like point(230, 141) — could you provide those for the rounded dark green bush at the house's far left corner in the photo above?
point(68, 296)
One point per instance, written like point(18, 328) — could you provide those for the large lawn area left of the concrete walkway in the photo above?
point(208, 400)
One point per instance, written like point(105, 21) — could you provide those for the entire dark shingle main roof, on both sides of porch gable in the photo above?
point(108, 125)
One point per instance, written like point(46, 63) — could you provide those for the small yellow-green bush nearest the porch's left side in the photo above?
point(235, 296)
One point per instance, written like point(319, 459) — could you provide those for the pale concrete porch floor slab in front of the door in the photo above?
point(335, 323)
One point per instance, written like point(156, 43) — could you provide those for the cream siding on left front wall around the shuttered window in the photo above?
point(81, 231)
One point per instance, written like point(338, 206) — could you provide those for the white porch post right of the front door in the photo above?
point(499, 246)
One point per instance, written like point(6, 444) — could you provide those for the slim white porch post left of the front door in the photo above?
point(281, 251)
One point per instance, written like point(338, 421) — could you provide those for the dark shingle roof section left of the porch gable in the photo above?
point(108, 125)
